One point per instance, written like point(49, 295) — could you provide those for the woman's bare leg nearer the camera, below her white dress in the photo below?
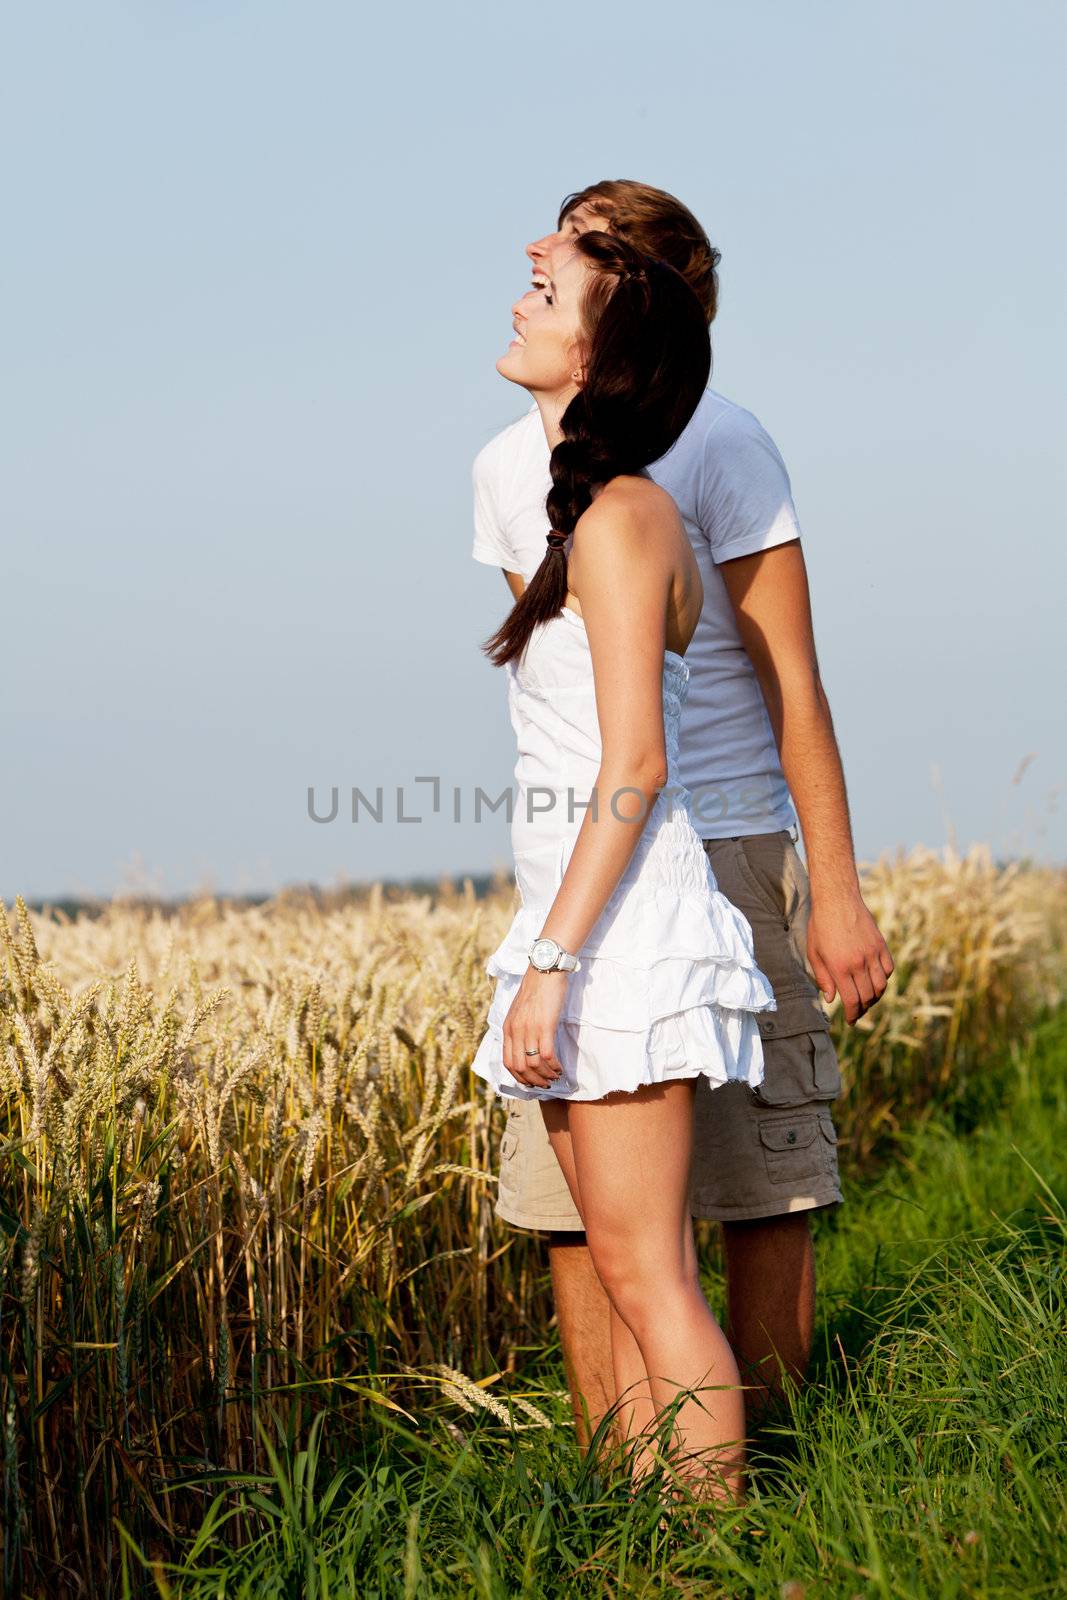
point(631, 1158)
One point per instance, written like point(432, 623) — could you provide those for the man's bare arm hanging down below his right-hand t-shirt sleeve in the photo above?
point(772, 604)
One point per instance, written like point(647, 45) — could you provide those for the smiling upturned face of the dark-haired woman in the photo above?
point(546, 353)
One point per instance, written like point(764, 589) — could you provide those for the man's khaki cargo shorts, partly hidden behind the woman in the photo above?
point(756, 1153)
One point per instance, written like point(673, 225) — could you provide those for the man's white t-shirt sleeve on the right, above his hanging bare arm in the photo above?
point(746, 502)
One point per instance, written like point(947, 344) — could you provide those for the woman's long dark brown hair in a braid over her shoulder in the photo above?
point(647, 366)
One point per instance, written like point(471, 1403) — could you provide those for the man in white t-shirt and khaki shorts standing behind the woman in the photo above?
point(756, 730)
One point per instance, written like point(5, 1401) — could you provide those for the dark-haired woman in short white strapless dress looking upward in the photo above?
point(626, 974)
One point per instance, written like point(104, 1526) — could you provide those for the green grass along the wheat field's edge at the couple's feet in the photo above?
point(924, 1460)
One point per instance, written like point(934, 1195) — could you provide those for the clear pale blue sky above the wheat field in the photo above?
point(260, 262)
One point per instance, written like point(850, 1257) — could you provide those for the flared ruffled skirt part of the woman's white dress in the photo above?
point(668, 988)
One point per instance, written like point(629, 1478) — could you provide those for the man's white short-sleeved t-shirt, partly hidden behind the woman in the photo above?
point(733, 494)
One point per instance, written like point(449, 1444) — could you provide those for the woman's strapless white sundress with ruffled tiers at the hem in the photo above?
point(668, 985)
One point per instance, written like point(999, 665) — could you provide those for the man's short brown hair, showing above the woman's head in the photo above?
point(660, 226)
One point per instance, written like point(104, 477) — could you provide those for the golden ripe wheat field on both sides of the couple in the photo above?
point(249, 1175)
